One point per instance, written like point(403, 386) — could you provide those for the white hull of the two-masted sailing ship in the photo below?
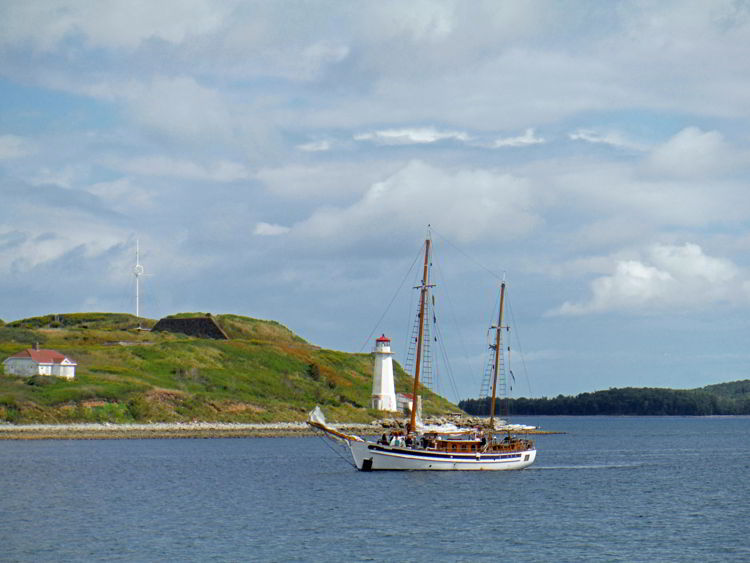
point(372, 456)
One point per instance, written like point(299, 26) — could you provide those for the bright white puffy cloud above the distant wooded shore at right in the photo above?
point(669, 277)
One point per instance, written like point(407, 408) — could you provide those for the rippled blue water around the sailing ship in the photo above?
point(612, 489)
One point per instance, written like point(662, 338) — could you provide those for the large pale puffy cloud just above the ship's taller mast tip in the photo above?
point(465, 204)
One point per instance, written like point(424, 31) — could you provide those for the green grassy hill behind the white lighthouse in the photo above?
point(264, 373)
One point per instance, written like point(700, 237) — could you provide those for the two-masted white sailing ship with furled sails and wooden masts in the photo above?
point(487, 448)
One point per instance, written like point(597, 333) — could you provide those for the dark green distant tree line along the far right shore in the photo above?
point(625, 401)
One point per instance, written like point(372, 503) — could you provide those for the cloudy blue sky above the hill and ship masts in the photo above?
point(283, 160)
